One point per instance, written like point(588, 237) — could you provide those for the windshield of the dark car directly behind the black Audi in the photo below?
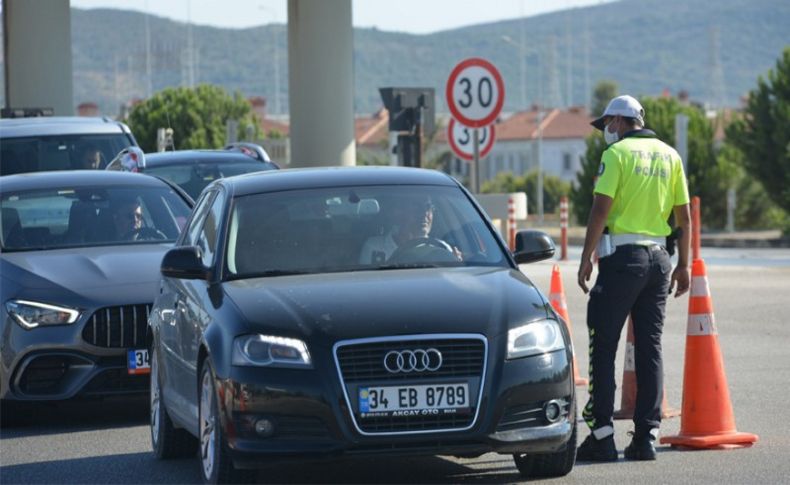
point(193, 177)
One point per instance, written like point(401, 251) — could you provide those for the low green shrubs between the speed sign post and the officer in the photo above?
point(553, 188)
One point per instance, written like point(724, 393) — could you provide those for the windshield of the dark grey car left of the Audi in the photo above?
point(90, 216)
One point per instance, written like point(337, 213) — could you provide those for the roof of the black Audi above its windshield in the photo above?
point(305, 178)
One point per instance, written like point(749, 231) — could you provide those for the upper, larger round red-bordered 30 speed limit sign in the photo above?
point(475, 92)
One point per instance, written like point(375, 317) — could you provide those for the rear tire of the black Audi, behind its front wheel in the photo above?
point(167, 440)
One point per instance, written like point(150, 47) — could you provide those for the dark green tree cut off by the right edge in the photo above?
point(763, 134)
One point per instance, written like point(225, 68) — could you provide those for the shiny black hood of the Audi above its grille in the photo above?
point(339, 306)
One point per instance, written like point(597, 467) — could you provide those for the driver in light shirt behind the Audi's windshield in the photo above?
point(411, 222)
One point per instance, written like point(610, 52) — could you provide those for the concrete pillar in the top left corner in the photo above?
point(37, 55)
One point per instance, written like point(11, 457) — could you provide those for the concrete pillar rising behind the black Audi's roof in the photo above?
point(321, 83)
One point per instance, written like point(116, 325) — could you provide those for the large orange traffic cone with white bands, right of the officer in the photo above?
point(707, 420)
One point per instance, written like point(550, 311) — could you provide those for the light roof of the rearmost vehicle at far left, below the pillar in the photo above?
point(58, 125)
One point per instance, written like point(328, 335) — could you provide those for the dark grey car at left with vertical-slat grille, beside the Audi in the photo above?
point(79, 266)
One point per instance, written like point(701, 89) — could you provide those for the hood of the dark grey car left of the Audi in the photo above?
point(118, 274)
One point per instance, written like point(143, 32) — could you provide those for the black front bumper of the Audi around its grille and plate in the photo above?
point(312, 418)
